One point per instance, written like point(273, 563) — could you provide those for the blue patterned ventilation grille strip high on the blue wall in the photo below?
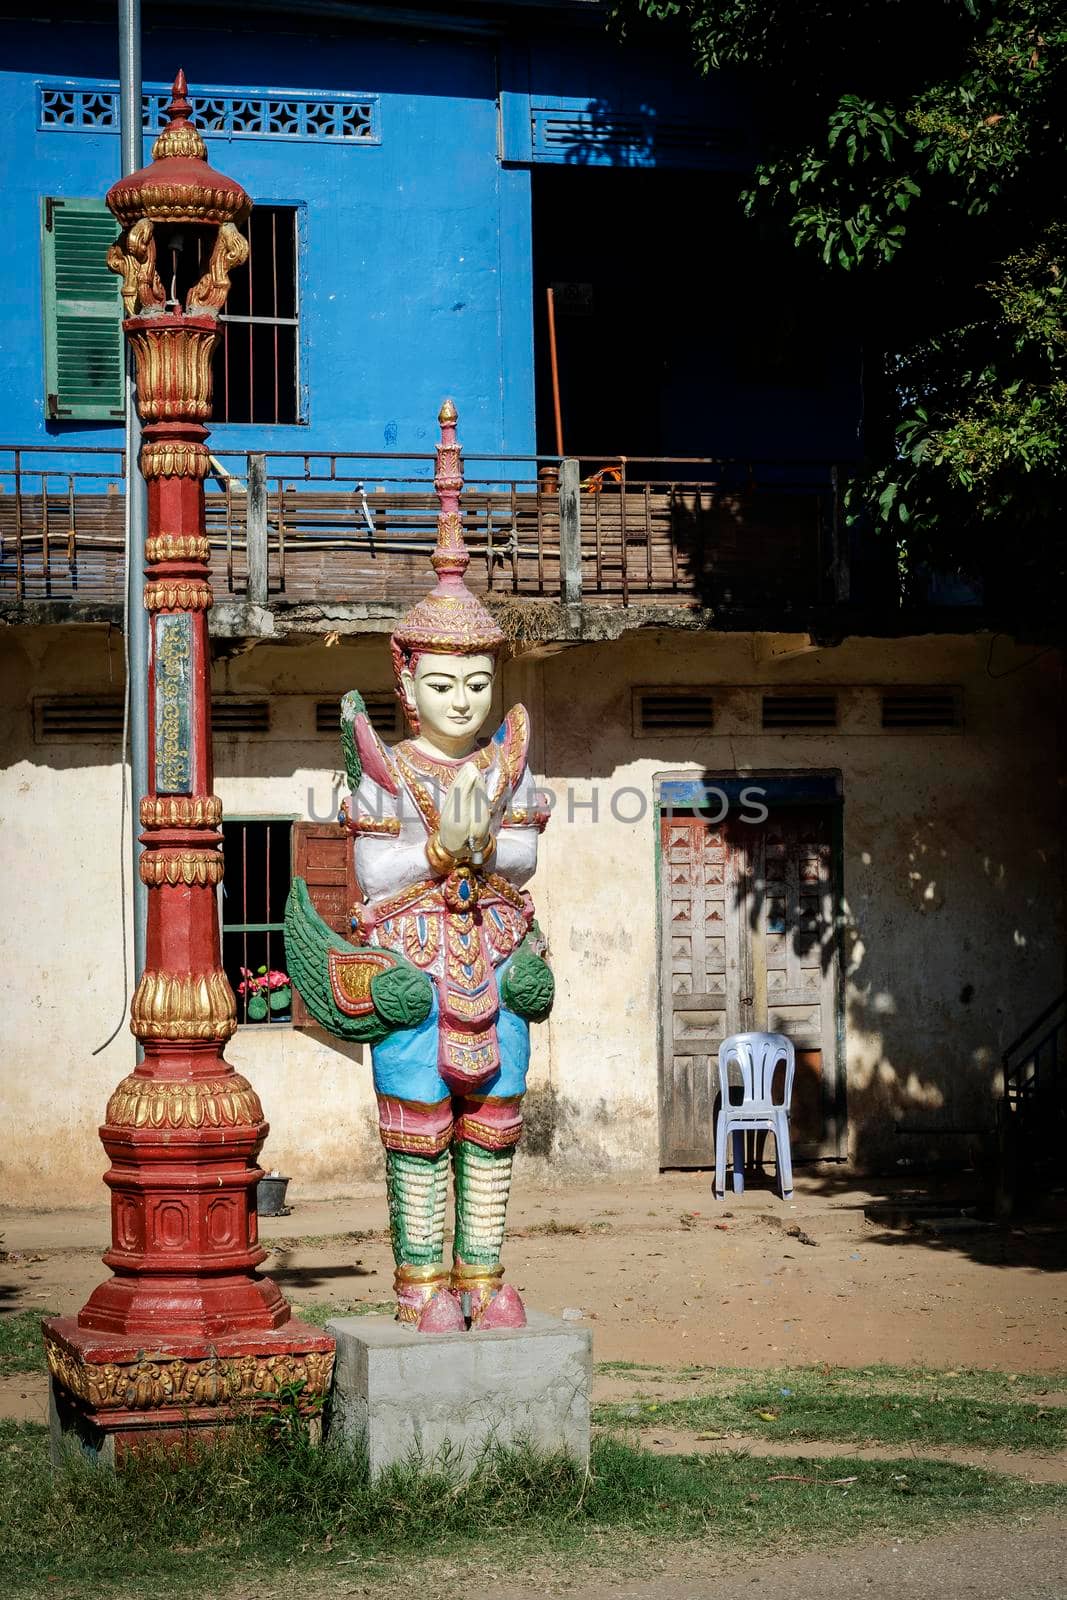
point(231, 114)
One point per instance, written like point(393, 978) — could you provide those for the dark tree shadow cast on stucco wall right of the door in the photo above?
point(924, 1070)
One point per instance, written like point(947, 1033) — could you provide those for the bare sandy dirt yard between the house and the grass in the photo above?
point(844, 1273)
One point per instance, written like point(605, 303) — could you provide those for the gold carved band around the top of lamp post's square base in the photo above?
point(150, 1383)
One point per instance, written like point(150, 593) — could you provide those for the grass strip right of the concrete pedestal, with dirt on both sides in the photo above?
point(871, 1406)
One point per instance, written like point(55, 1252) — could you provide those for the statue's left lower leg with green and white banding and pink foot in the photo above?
point(418, 1190)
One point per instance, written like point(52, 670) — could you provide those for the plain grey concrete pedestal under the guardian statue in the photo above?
point(439, 1398)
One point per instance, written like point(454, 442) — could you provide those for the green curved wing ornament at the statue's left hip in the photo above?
point(358, 993)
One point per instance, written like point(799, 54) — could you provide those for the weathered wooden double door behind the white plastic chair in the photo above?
point(748, 942)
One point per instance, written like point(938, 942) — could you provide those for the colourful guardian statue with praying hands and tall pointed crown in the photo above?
point(449, 966)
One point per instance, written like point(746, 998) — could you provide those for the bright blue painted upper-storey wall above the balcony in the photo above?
point(417, 254)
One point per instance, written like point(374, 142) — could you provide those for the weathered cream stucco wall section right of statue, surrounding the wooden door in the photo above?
point(951, 878)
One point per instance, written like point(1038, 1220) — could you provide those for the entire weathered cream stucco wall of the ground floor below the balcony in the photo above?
point(953, 889)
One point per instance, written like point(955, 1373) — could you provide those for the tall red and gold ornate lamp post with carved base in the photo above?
point(186, 1332)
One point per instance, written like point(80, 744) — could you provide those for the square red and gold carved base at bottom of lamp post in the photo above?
point(116, 1396)
